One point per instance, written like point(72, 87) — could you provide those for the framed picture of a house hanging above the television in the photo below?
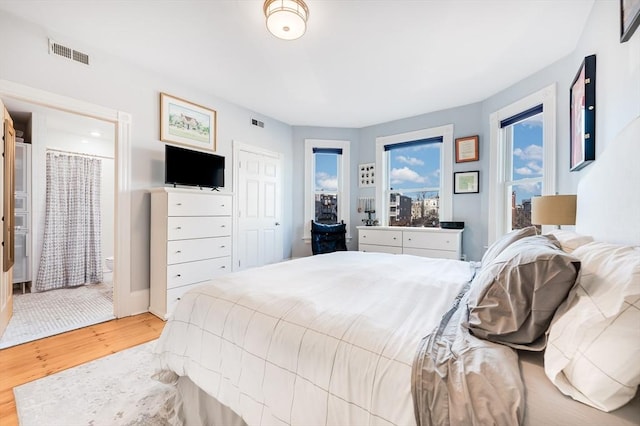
point(186, 123)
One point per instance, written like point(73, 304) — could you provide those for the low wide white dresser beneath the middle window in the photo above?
point(426, 242)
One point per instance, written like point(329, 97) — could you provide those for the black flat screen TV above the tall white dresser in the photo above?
point(193, 168)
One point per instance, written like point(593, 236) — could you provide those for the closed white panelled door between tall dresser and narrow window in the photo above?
point(259, 236)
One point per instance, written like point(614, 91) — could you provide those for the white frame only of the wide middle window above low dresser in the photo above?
point(445, 212)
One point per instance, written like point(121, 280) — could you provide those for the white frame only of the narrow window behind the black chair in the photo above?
point(344, 182)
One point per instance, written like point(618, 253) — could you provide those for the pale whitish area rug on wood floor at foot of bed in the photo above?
point(111, 391)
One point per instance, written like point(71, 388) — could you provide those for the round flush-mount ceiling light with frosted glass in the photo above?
point(286, 19)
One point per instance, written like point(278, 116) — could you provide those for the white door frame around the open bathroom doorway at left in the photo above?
point(125, 302)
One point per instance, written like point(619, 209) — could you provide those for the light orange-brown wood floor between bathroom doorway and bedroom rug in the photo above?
point(34, 360)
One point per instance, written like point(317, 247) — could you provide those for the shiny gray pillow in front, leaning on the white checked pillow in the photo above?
point(512, 299)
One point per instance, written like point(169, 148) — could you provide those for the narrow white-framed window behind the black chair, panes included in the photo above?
point(326, 182)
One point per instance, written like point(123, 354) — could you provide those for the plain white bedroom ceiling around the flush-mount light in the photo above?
point(361, 62)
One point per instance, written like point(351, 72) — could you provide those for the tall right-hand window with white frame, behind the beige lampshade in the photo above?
point(522, 160)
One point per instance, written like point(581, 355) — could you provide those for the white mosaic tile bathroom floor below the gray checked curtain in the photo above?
point(38, 315)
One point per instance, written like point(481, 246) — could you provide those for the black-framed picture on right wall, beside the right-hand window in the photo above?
point(582, 119)
